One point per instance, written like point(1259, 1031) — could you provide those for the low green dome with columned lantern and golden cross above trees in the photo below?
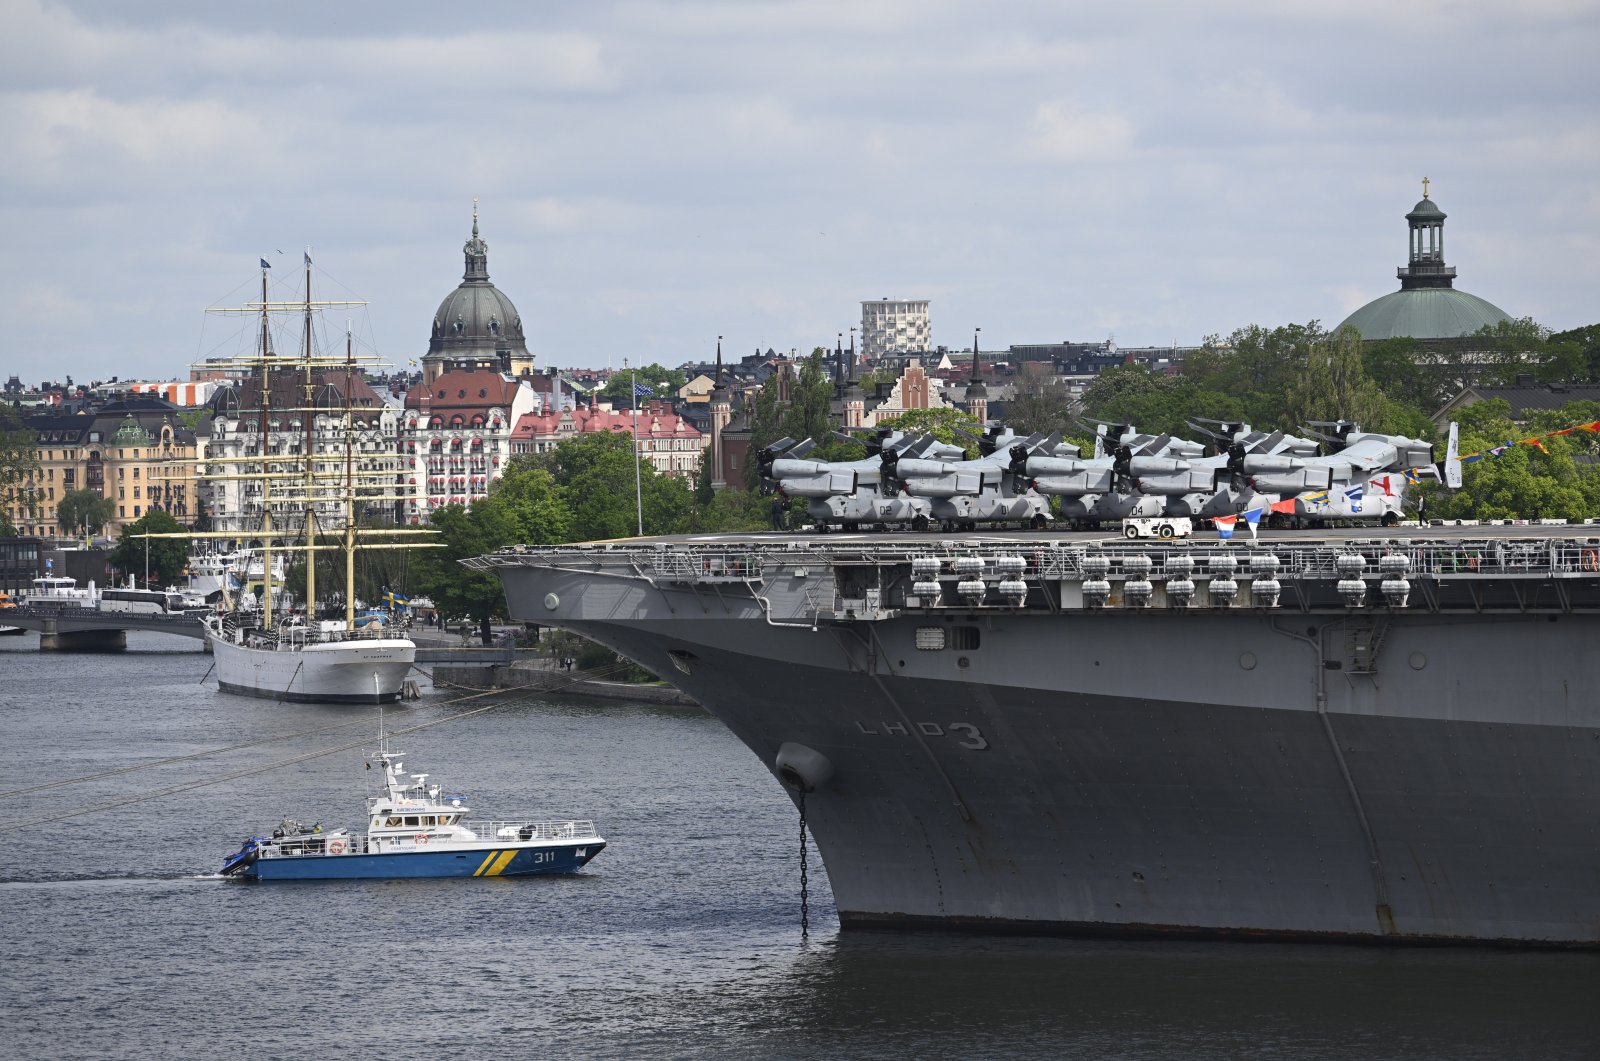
point(1428, 305)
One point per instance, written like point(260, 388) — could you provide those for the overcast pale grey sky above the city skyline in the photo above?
point(655, 175)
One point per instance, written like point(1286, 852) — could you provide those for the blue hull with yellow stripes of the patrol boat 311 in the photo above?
point(446, 862)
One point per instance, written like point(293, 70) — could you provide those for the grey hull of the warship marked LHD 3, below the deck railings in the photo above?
point(1193, 774)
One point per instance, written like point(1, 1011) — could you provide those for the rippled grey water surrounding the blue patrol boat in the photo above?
point(681, 940)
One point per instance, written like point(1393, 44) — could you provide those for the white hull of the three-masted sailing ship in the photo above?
point(364, 671)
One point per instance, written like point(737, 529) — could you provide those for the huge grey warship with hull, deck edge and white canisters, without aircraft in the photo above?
point(1380, 739)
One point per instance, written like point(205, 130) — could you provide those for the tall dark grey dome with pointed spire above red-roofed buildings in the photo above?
point(476, 326)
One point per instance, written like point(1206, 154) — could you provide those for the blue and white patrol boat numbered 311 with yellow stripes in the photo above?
point(417, 831)
